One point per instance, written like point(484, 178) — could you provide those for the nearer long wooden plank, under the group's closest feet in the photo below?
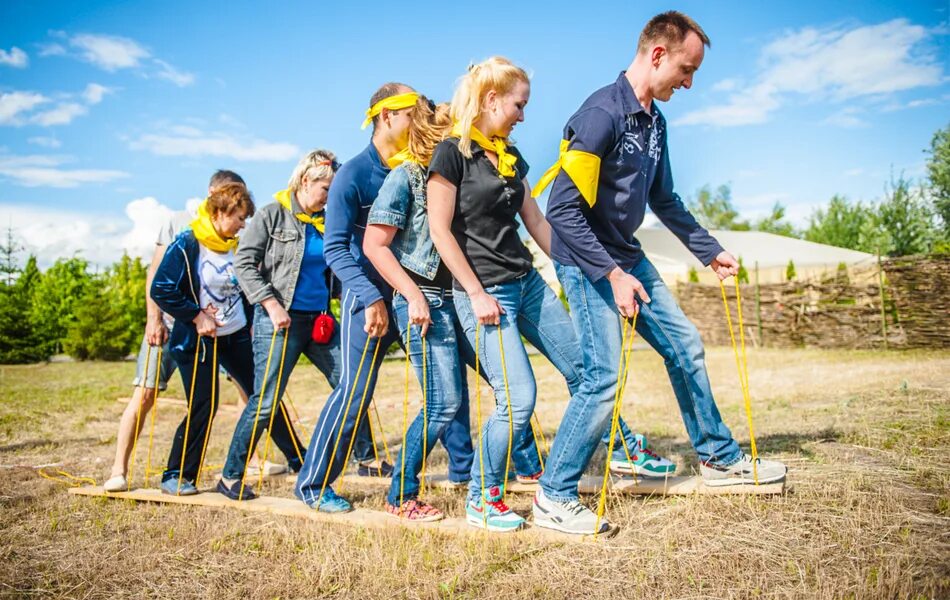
point(360, 517)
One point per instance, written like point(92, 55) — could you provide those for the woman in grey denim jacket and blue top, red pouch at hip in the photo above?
point(281, 268)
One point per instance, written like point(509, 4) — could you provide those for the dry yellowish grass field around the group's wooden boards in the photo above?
point(866, 436)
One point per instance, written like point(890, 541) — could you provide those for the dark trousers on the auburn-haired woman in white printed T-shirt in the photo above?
point(235, 354)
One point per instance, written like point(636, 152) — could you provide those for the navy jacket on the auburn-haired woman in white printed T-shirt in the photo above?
point(175, 289)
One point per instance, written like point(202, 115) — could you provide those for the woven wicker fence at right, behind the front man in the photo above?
point(844, 311)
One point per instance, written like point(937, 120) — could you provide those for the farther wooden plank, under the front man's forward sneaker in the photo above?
point(677, 485)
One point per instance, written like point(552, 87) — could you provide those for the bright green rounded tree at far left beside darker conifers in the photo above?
point(55, 297)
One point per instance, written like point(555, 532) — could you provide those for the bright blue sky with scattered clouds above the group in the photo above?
point(113, 114)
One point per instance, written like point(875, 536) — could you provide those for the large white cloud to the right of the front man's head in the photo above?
point(833, 65)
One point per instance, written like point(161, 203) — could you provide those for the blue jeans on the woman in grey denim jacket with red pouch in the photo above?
point(326, 358)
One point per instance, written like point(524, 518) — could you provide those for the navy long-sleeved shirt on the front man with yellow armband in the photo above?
point(634, 172)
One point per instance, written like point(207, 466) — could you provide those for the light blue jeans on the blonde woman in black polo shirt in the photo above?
point(533, 311)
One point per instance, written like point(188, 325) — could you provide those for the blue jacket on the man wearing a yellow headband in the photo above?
point(351, 195)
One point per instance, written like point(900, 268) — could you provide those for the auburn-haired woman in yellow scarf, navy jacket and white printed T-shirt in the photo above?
point(196, 284)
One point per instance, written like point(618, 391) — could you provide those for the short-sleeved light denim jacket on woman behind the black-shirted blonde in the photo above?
point(401, 203)
